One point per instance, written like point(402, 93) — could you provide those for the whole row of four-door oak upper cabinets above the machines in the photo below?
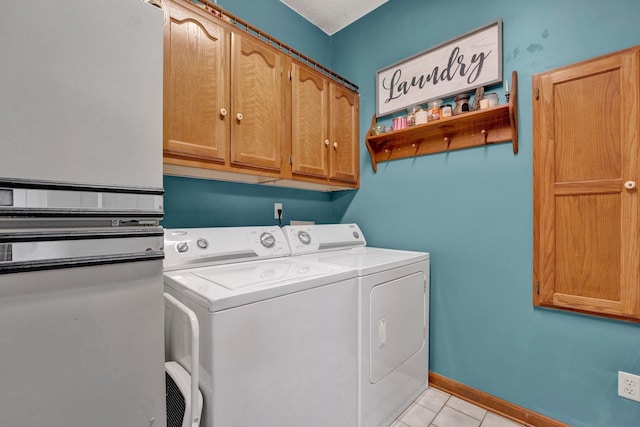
point(236, 108)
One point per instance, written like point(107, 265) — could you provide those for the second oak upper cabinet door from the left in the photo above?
point(258, 104)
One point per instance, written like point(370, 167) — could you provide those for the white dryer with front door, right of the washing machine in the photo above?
point(393, 315)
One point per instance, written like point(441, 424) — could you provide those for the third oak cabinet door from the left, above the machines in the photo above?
point(309, 123)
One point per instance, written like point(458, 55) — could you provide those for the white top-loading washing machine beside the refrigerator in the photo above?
point(278, 335)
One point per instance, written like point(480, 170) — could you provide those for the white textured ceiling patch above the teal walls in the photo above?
point(332, 15)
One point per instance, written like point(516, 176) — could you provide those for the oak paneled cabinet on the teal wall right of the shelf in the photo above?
point(586, 206)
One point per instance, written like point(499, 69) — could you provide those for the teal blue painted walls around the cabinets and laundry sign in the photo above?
point(471, 209)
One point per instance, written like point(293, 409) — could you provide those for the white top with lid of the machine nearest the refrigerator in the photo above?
point(225, 286)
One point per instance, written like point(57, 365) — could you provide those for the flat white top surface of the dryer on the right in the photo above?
point(368, 260)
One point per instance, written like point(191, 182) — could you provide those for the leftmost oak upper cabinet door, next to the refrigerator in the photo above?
point(196, 92)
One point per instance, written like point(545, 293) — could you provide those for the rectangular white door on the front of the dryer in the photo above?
point(398, 322)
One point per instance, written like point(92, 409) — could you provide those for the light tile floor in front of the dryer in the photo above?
point(434, 408)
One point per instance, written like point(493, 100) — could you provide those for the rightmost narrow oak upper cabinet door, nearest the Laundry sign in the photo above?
point(344, 136)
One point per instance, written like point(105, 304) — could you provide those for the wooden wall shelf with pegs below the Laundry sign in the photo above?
point(490, 126)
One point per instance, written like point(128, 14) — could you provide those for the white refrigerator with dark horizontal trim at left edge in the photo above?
point(81, 248)
